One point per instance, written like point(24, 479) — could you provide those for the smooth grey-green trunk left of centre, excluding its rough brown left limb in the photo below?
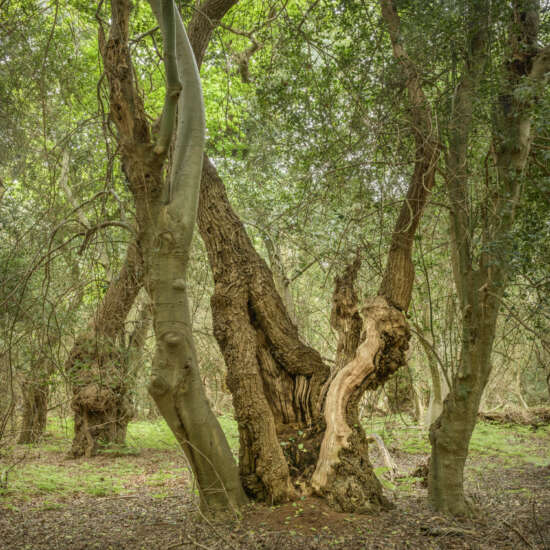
point(176, 385)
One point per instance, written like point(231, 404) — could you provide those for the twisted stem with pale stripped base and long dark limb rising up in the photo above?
point(385, 329)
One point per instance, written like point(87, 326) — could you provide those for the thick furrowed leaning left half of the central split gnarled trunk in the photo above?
point(274, 378)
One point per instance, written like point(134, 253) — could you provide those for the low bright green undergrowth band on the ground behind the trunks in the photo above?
point(153, 462)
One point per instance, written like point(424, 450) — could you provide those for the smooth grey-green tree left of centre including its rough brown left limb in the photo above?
point(166, 211)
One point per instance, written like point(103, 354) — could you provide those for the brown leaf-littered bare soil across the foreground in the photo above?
point(512, 503)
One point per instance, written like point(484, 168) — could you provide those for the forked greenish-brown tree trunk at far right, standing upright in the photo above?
point(480, 287)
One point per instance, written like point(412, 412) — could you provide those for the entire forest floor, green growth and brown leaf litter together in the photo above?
point(143, 498)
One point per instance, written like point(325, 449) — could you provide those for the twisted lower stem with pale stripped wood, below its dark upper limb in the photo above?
point(342, 474)
